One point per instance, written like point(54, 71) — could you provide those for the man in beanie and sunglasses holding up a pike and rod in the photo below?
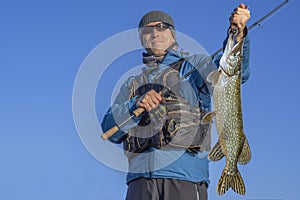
point(166, 144)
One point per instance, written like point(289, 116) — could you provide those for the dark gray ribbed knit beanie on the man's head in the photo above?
point(158, 16)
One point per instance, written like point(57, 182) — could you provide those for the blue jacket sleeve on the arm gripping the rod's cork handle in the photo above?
point(121, 110)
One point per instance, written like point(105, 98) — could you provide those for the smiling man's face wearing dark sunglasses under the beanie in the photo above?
point(157, 37)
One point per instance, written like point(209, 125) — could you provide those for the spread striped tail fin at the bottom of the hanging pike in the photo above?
point(231, 181)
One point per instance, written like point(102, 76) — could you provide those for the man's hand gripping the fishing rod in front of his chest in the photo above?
point(150, 100)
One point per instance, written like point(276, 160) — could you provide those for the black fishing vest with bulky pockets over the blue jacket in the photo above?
point(173, 124)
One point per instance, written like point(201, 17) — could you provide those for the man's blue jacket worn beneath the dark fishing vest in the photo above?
point(177, 163)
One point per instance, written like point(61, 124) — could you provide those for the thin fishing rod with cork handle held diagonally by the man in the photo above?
point(140, 110)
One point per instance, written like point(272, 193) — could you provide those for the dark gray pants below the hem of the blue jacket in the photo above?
point(165, 189)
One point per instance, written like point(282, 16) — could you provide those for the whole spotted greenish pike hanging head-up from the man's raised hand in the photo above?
point(232, 142)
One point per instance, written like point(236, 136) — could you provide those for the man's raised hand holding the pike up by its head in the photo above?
point(238, 20)
